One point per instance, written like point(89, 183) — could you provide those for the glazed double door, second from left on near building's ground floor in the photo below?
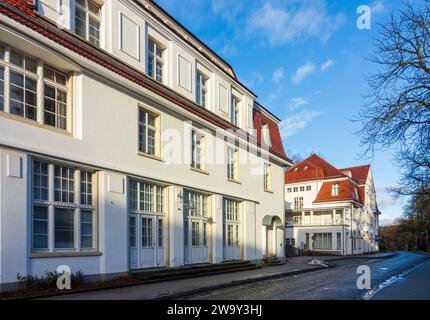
point(196, 241)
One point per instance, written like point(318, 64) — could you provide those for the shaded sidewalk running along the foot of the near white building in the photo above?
point(177, 288)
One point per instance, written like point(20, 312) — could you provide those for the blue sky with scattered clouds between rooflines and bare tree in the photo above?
point(305, 59)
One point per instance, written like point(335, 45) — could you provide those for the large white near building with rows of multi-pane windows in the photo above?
point(126, 143)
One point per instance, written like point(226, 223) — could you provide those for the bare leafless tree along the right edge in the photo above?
point(397, 110)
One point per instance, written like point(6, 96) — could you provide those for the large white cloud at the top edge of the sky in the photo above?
point(304, 19)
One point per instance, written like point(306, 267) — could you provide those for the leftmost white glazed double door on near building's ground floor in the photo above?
point(147, 247)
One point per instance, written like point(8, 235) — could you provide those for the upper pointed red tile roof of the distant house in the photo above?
point(312, 168)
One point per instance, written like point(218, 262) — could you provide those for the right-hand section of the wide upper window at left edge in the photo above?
point(55, 98)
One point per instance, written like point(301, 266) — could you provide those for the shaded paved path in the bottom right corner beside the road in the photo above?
point(414, 285)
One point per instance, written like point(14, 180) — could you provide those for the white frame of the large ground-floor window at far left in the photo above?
point(54, 207)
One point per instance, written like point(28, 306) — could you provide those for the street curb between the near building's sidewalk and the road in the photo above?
point(234, 283)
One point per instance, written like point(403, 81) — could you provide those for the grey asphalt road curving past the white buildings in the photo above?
point(339, 283)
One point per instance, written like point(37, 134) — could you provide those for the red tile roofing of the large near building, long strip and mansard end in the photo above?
point(22, 12)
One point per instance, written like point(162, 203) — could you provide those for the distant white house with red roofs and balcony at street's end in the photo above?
point(331, 210)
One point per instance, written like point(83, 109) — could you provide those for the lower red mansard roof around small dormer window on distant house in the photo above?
point(347, 192)
